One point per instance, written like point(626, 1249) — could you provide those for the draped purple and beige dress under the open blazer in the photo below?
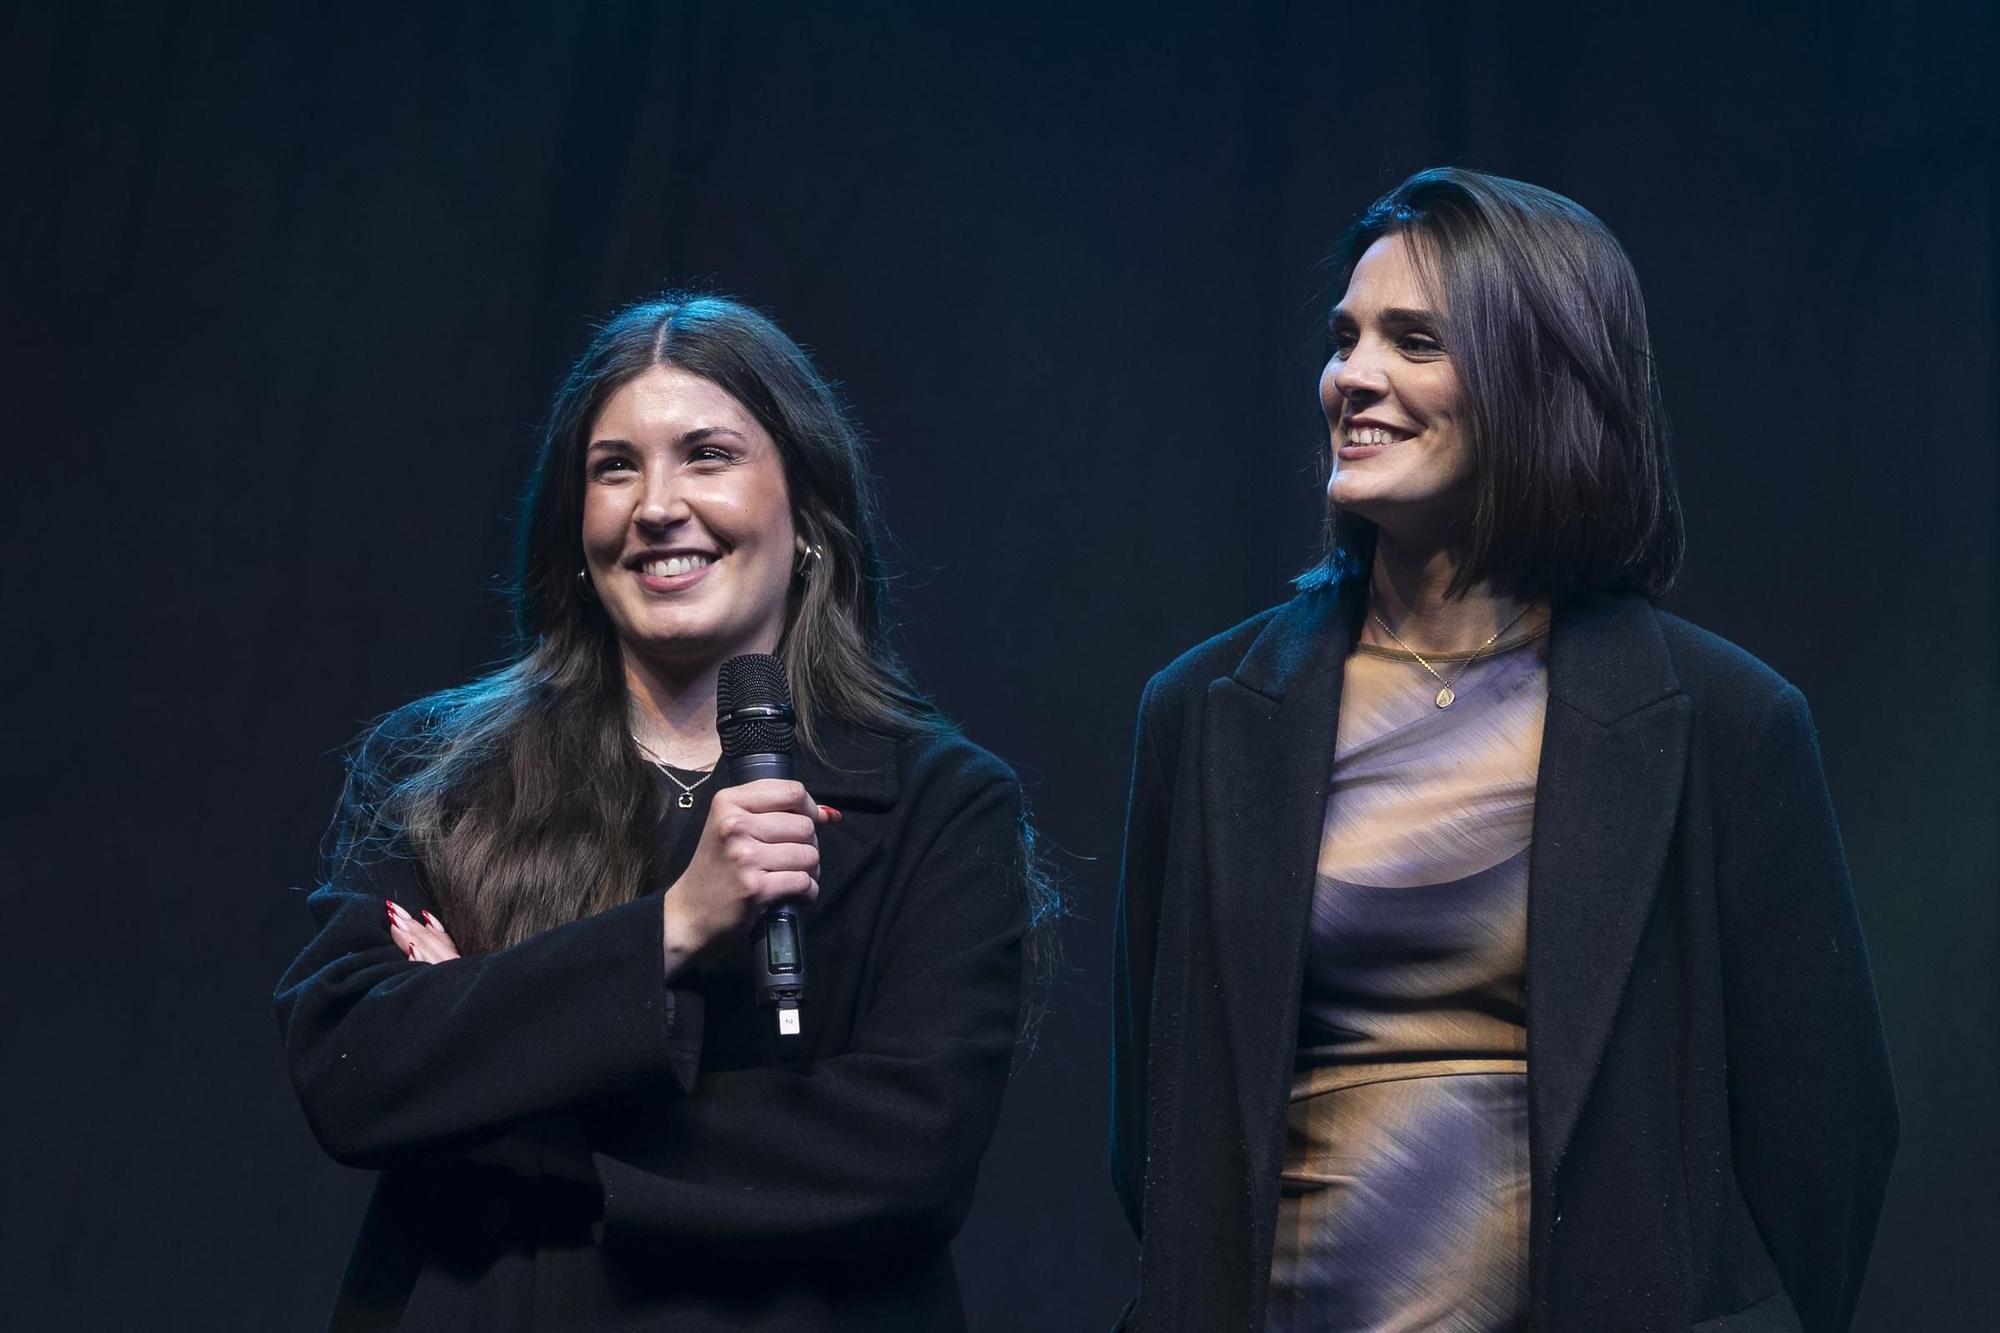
point(1405, 1192)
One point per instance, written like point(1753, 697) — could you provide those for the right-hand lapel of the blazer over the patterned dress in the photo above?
point(1607, 800)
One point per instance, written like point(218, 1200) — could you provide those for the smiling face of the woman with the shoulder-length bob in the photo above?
point(1393, 401)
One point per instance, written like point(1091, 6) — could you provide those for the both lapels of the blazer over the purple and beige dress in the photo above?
point(1607, 798)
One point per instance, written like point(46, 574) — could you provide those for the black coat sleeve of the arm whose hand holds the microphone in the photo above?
point(479, 1058)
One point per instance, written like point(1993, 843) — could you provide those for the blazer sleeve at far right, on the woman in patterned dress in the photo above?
point(1813, 1110)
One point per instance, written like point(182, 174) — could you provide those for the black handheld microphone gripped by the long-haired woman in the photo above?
point(755, 722)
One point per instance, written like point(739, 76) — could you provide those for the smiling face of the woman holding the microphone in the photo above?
point(687, 523)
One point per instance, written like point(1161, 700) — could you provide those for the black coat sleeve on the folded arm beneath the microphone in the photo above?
point(883, 1140)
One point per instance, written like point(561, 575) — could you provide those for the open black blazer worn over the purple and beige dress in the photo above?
point(1711, 1110)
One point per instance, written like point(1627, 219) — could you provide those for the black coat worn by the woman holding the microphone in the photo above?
point(571, 1144)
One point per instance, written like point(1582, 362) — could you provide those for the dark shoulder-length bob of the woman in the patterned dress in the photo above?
point(1545, 323)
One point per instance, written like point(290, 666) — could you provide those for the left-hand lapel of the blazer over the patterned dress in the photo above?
point(1267, 766)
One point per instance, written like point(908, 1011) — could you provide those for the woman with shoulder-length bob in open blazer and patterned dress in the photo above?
point(1487, 958)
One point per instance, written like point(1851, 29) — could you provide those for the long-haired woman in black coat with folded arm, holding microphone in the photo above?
point(531, 1004)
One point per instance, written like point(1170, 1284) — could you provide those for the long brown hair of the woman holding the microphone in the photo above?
point(523, 796)
